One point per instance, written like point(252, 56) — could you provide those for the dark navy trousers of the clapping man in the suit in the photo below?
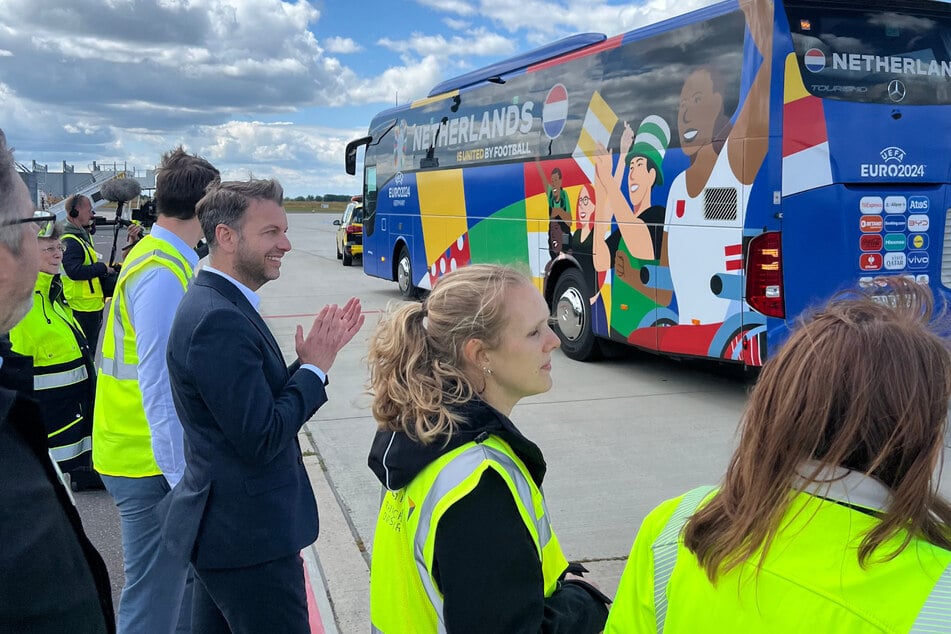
point(268, 597)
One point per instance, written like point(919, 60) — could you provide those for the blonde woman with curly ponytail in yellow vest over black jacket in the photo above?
point(464, 541)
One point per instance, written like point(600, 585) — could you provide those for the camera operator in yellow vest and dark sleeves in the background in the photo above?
point(88, 281)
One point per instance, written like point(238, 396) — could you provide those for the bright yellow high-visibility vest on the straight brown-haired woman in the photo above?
point(810, 581)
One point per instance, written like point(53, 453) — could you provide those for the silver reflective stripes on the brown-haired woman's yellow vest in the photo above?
point(933, 618)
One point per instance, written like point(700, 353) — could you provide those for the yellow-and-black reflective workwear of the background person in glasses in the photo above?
point(62, 371)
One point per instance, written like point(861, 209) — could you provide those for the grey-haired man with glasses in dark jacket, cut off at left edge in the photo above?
point(51, 577)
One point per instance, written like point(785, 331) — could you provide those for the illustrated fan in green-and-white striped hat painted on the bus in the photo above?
point(640, 225)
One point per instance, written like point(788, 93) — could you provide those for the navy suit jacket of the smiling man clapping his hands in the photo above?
point(245, 497)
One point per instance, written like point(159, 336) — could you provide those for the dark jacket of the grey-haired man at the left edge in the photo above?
point(51, 577)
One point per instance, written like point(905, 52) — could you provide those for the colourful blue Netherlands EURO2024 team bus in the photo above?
point(689, 187)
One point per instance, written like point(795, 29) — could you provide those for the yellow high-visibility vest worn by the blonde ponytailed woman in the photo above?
point(404, 596)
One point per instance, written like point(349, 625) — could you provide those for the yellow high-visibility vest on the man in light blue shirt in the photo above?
point(122, 440)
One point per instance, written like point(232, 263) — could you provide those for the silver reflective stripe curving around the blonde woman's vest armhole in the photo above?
point(451, 476)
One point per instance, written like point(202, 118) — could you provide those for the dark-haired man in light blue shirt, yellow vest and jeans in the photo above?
point(137, 435)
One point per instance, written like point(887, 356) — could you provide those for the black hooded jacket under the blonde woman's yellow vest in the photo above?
point(485, 562)
